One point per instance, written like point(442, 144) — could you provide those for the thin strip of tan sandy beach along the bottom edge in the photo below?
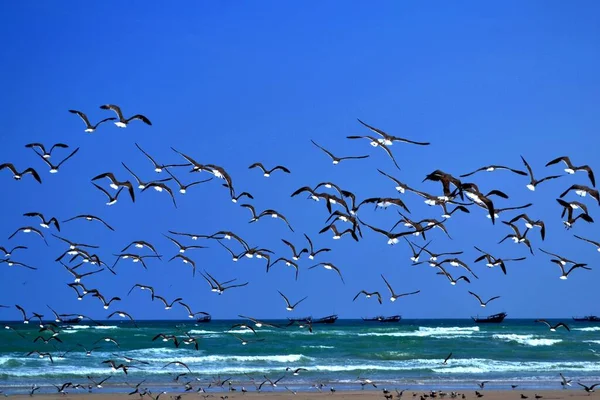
point(354, 395)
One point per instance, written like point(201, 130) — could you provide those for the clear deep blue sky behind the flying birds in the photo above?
point(233, 83)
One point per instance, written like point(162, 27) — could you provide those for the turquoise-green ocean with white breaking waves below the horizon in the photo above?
point(408, 354)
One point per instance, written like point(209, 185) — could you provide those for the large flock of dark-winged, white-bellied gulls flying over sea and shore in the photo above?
point(346, 221)
